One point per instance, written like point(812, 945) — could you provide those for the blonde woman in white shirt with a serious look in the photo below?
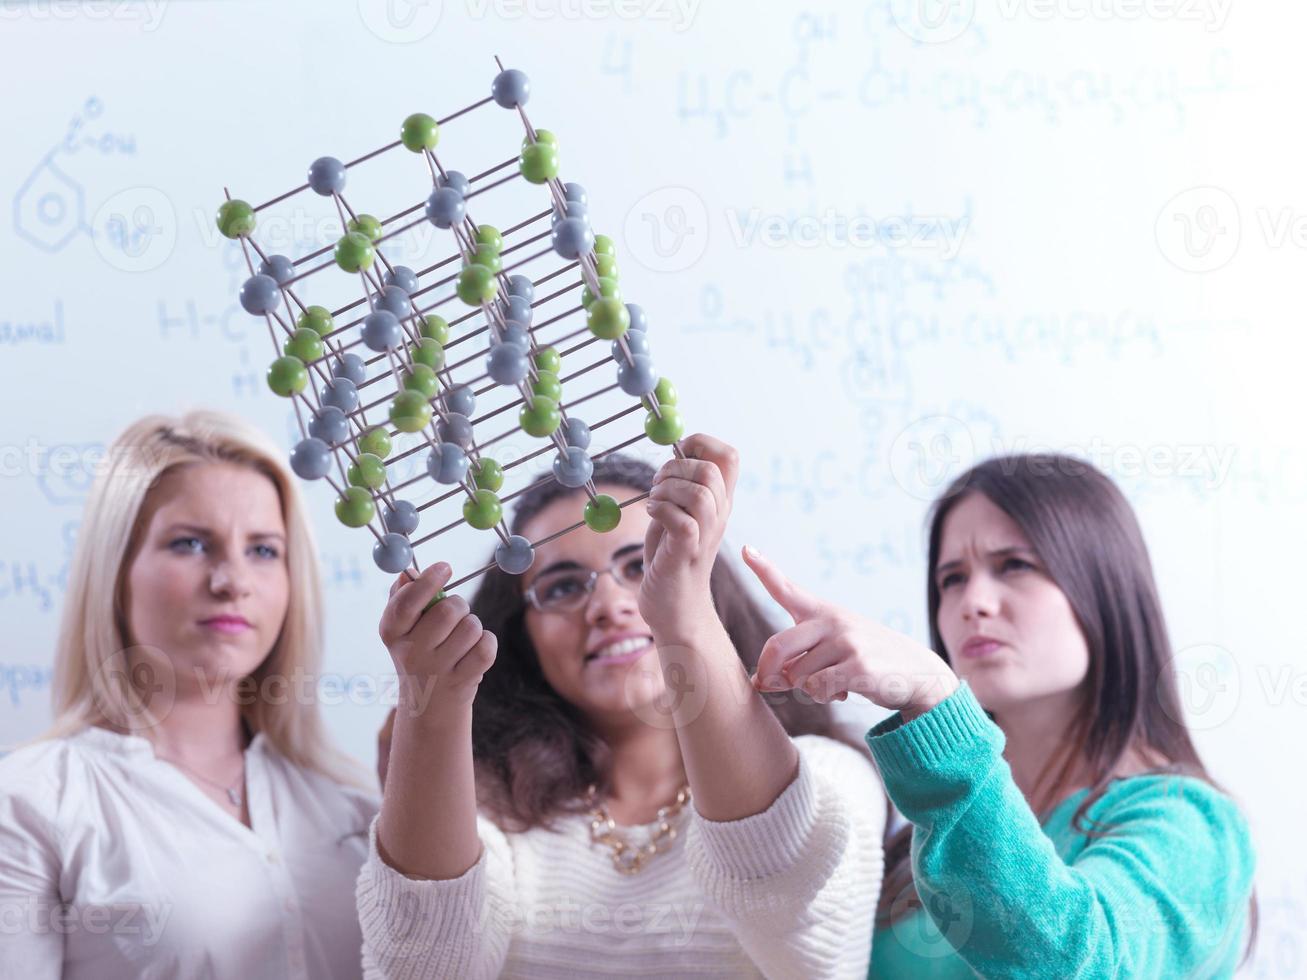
point(186, 815)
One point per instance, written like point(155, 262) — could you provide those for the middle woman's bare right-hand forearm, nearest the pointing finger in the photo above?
point(738, 757)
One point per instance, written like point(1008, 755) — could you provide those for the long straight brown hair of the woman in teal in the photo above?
point(1085, 532)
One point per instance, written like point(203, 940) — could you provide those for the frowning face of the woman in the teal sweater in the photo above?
point(1008, 629)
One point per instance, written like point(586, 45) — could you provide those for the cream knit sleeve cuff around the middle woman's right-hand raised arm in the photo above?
point(767, 843)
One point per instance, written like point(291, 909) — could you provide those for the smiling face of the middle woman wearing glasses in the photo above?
point(576, 650)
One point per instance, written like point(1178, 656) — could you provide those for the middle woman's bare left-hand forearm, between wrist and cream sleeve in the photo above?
point(428, 826)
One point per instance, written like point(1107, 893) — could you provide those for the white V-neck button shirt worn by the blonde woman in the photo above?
point(113, 864)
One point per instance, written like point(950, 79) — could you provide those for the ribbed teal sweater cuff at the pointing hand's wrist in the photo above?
point(935, 740)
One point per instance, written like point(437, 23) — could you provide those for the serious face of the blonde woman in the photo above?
point(208, 585)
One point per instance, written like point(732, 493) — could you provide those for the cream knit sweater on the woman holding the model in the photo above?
point(787, 893)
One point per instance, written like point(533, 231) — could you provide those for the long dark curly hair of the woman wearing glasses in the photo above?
point(535, 753)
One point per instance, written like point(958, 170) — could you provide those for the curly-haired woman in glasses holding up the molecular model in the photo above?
point(603, 792)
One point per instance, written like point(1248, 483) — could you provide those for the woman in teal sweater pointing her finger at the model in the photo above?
point(1061, 823)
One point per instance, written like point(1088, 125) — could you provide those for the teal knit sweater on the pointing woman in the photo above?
point(1164, 896)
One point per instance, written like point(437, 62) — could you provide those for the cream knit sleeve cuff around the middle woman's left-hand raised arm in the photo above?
point(418, 913)
